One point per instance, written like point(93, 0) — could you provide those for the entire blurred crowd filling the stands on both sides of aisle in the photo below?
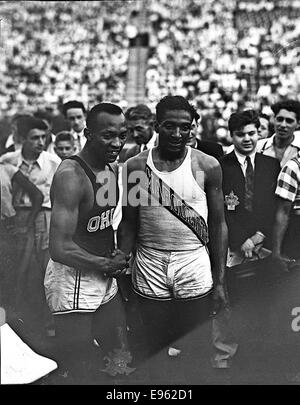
point(222, 55)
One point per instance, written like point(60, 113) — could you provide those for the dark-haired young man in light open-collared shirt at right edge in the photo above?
point(285, 143)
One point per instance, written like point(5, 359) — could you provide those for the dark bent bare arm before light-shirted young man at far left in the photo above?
point(34, 193)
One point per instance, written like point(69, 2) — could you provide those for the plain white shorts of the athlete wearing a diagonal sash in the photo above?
point(160, 274)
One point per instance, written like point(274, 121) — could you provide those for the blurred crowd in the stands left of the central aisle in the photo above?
point(63, 50)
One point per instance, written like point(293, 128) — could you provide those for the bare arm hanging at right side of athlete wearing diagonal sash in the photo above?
point(217, 232)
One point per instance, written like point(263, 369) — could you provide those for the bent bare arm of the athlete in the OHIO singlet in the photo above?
point(67, 195)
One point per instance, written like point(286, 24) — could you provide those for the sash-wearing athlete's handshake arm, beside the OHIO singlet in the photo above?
point(127, 232)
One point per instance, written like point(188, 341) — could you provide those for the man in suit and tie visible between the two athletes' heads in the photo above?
point(139, 120)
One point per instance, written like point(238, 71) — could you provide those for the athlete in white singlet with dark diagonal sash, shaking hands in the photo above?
point(179, 209)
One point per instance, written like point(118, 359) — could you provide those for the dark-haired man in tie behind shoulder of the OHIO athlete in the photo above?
point(75, 113)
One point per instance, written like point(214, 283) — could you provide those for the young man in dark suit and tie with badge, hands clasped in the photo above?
point(249, 182)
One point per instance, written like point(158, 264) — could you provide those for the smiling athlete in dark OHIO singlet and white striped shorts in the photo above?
point(80, 281)
